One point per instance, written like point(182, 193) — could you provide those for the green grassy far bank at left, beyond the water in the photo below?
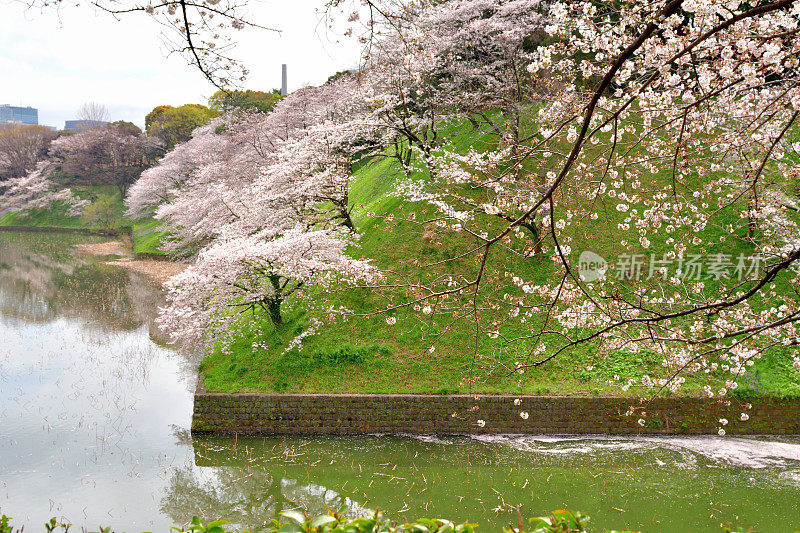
point(145, 234)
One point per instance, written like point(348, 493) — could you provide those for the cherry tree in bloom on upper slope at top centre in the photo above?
point(456, 62)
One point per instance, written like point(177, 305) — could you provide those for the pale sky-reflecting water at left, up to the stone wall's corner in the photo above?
point(87, 398)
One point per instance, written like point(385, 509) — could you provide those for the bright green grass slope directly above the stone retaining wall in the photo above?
point(364, 354)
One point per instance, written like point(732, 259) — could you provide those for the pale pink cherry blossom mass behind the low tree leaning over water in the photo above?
point(208, 182)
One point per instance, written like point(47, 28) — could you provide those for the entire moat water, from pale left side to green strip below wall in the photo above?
point(94, 411)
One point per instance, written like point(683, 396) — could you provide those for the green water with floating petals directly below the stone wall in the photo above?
point(682, 484)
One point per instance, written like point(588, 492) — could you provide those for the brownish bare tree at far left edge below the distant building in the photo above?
point(21, 147)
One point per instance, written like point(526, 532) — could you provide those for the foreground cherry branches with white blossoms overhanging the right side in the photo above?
point(668, 132)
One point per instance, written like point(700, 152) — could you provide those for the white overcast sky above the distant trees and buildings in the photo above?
point(57, 61)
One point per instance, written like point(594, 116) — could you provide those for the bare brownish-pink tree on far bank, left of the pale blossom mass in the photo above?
point(115, 154)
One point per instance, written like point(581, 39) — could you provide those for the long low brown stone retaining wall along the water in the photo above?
point(348, 414)
